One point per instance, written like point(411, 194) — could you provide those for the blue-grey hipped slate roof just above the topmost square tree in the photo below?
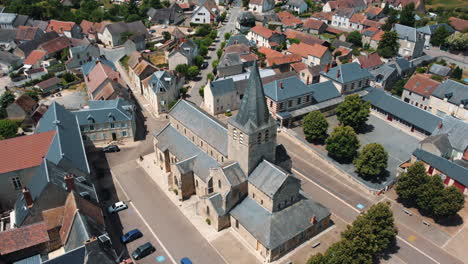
point(349, 72)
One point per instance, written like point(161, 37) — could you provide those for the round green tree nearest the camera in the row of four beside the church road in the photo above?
point(371, 161)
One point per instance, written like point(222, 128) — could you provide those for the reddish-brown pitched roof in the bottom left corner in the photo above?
point(16, 239)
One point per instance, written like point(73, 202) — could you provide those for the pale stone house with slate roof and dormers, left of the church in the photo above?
point(105, 121)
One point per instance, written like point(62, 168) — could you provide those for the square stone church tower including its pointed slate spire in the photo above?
point(252, 132)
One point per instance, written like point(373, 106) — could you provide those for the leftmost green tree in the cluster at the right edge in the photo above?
point(409, 181)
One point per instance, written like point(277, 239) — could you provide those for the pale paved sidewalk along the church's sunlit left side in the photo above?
point(188, 207)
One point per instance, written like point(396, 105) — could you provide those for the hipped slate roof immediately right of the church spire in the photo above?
point(287, 88)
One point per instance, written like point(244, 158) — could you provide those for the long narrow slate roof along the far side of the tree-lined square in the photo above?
point(409, 113)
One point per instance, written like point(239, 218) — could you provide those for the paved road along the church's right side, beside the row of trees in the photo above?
point(330, 190)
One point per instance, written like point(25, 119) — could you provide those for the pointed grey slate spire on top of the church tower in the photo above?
point(253, 111)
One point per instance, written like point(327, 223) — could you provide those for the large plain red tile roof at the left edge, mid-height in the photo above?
point(24, 152)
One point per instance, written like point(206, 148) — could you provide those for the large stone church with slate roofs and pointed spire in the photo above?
point(233, 171)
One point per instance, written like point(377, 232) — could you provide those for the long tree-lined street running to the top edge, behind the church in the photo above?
point(194, 96)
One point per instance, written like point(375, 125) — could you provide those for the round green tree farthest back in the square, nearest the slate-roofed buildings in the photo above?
point(353, 112)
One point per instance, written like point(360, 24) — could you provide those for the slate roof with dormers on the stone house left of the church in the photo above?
point(104, 111)
